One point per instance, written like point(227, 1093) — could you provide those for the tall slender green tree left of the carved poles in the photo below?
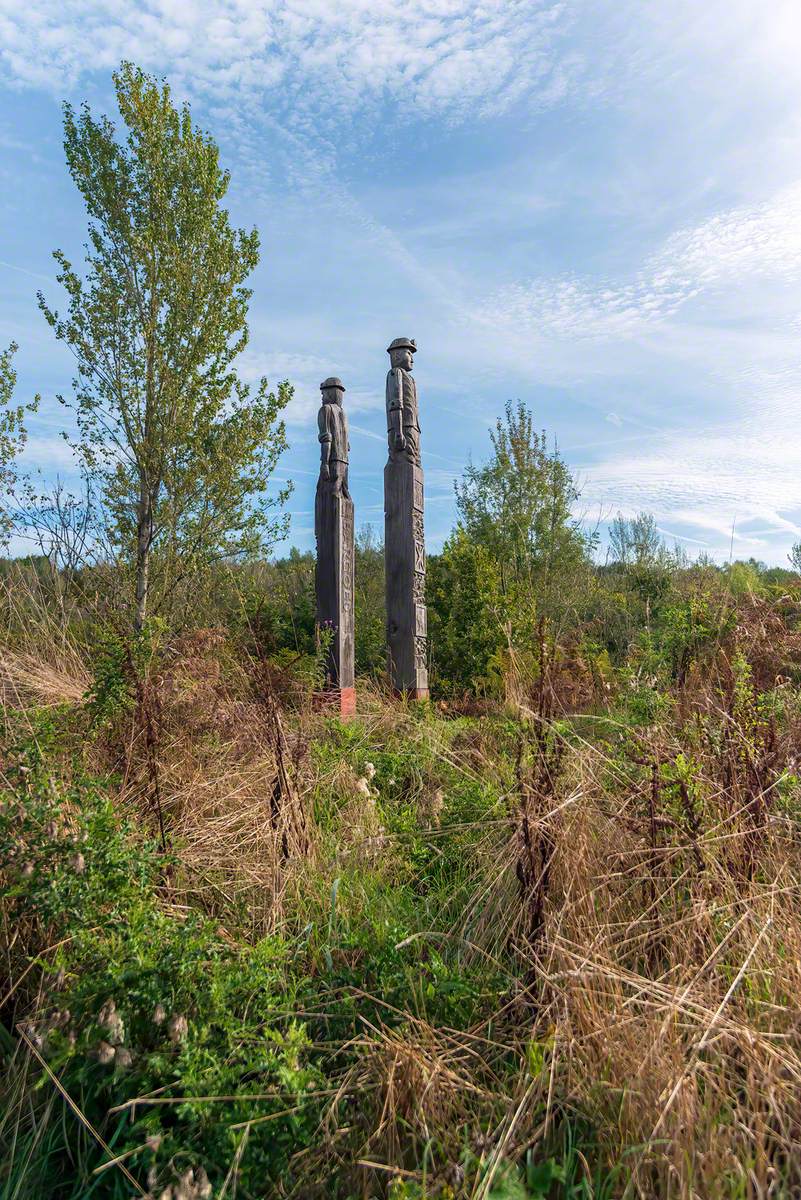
point(179, 447)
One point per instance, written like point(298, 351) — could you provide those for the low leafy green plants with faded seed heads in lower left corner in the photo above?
point(136, 1003)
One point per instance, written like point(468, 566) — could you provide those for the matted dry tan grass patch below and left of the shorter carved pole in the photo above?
point(208, 757)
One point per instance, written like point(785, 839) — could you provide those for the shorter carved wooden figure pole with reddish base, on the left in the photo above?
point(334, 529)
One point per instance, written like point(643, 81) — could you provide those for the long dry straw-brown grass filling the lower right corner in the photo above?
point(668, 970)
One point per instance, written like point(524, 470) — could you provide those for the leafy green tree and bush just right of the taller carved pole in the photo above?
point(514, 571)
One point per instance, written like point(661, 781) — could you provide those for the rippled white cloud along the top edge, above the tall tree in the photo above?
point(453, 58)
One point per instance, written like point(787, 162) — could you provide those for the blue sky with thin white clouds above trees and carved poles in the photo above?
point(593, 206)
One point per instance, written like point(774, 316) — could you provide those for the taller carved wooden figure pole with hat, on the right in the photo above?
point(405, 543)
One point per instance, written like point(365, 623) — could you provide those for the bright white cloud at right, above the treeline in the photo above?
point(714, 310)
